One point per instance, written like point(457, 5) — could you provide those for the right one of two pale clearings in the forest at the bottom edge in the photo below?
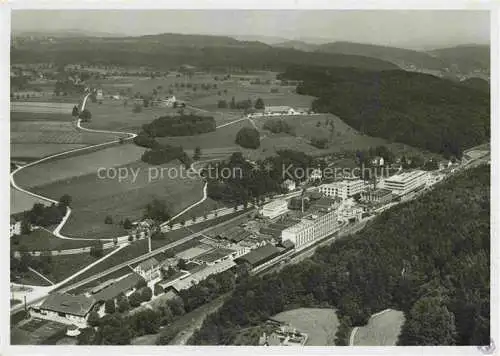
point(381, 330)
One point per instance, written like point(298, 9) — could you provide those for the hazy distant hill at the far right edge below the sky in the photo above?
point(467, 57)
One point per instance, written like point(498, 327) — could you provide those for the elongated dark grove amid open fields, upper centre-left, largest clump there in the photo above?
point(181, 125)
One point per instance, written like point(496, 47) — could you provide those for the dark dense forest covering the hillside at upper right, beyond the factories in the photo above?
point(417, 109)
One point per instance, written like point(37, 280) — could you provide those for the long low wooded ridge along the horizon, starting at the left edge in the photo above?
point(171, 50)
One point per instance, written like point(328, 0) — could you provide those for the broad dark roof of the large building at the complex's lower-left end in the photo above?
point(79, 305)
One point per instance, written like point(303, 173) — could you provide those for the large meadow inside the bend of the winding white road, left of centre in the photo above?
point(94, 198)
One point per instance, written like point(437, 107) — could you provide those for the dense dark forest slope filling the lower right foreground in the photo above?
point(428, 257)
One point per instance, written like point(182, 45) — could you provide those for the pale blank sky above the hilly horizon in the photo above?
point(403, 28)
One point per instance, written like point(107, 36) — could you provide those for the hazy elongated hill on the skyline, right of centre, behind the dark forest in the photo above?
point(394, 55)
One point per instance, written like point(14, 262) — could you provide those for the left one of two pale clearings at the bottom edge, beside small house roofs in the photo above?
point(319, 324)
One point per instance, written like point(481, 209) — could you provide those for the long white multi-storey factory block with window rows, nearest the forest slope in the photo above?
point(311, 228)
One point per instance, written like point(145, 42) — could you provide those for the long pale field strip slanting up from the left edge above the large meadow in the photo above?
point(85, 163)
